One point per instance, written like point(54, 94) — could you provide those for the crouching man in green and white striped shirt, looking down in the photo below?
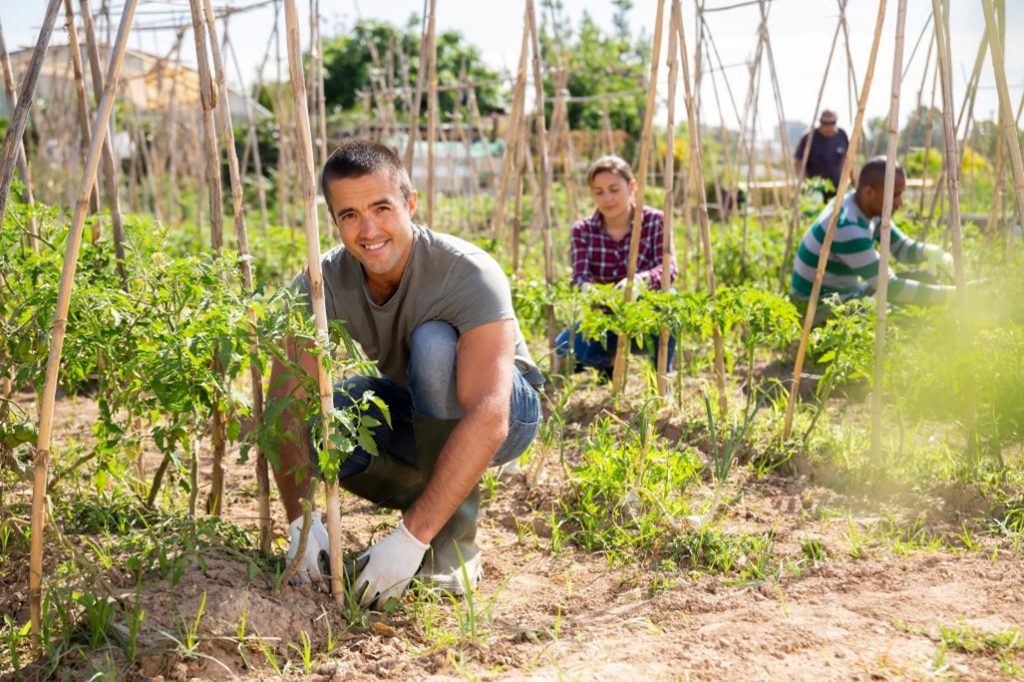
point(852, 270)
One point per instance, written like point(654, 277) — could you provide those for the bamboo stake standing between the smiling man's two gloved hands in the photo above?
point(309, 184)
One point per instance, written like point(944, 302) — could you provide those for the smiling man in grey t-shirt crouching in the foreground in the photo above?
point(436, 315)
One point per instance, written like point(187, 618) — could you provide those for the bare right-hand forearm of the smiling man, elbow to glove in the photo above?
point(460, 466)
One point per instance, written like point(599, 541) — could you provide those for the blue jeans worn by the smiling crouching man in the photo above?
point(433, 393)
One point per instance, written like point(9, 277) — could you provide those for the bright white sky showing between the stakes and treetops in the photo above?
point(801, 32)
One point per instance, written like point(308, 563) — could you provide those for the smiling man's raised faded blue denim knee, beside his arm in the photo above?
point(432, 370)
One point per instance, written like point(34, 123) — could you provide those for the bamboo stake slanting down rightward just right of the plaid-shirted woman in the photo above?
point(702, 197)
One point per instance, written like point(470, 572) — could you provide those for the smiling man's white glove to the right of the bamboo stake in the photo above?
point(389, 567)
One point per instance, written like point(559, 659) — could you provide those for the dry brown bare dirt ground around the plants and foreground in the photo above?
point(571, 616)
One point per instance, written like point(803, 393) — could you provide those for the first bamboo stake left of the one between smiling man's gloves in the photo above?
point(241, 235)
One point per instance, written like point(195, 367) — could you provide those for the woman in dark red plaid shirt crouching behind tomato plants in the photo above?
point(602, 251)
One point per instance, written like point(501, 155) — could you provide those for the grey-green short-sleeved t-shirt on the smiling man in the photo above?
point(446, 279)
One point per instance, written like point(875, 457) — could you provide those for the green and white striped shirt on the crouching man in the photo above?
point(854, 261)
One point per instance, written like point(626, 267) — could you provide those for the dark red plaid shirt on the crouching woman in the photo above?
point(601, 260)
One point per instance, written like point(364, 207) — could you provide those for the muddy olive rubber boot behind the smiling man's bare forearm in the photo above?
point(455, 545)
